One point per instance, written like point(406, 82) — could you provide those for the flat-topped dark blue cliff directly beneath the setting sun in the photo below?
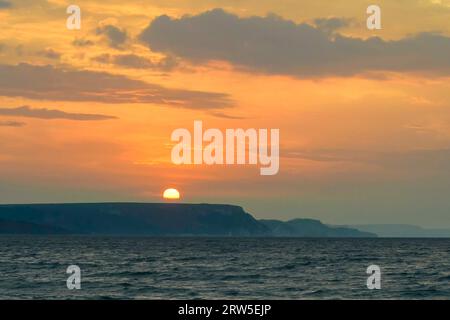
point(138, 218)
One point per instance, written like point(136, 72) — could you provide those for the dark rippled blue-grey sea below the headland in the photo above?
point(35, 267)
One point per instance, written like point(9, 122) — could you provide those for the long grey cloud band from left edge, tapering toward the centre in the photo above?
point(55, 84)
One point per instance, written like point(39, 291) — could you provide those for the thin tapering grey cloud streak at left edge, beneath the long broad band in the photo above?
point(43, 113)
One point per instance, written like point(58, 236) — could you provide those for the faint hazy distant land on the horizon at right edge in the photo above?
point(403, 231)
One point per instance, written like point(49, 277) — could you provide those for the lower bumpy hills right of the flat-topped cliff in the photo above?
point(310, 228)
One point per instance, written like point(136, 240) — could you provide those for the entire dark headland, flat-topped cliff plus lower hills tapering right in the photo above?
point(156, 219)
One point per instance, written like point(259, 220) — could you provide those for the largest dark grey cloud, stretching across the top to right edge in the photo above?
point(274, 45)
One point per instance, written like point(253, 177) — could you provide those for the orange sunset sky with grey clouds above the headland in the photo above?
point(364, 115)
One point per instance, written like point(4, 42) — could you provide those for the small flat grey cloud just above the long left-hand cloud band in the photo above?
point(136, 62)
